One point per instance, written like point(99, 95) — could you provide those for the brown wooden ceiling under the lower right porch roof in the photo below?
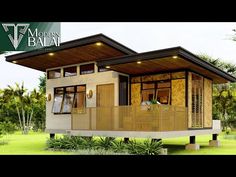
point(165, 65)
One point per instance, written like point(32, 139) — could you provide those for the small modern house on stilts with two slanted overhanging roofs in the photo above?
point(99, 87)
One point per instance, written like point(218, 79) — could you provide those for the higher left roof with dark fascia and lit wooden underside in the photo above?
point(92, 48)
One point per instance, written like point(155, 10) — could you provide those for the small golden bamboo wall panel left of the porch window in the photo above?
point(135, 94)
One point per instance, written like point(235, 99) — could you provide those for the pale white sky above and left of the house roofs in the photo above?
point(208, 38)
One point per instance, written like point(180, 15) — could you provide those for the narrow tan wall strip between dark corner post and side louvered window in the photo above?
point(189, 100)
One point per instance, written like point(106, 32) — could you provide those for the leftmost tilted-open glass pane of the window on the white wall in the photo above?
point(58, 98)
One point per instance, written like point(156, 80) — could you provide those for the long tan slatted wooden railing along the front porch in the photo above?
point(130, 118)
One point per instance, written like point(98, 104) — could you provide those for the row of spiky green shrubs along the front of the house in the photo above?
point(147, 147)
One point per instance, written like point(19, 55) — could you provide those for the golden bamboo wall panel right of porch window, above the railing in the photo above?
point(178, 92)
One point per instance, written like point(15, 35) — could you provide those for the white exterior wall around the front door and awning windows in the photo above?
point(63, 121)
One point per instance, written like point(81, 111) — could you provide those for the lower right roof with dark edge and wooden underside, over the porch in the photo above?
point(171, 59)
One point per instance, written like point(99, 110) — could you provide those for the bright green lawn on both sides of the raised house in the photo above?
point(35, 143)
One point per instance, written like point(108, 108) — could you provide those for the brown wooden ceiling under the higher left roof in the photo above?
point(76, 55)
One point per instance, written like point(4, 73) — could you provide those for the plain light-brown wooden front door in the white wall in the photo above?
point(105, 106)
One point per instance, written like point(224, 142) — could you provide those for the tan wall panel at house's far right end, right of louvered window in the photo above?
point(207, 103)
